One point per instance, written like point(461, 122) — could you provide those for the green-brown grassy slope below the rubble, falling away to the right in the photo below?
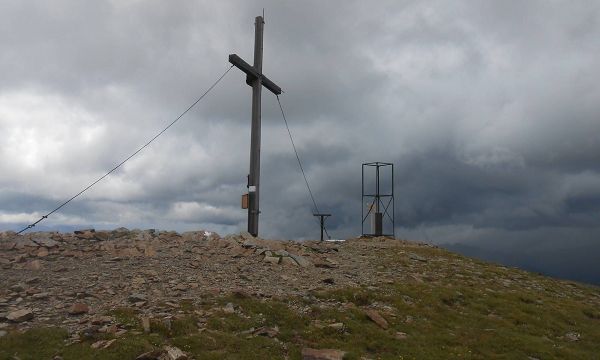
point(469, 310)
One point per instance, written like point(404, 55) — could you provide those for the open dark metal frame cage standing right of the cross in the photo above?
point(381, 207)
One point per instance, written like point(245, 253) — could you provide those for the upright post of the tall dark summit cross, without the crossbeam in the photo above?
point(254, 177)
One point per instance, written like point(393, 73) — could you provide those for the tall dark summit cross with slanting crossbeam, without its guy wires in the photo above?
point(256, 79)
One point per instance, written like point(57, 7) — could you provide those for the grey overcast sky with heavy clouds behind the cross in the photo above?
point(489, 110)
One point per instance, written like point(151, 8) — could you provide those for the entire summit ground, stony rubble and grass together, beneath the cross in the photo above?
point(103, 287)
